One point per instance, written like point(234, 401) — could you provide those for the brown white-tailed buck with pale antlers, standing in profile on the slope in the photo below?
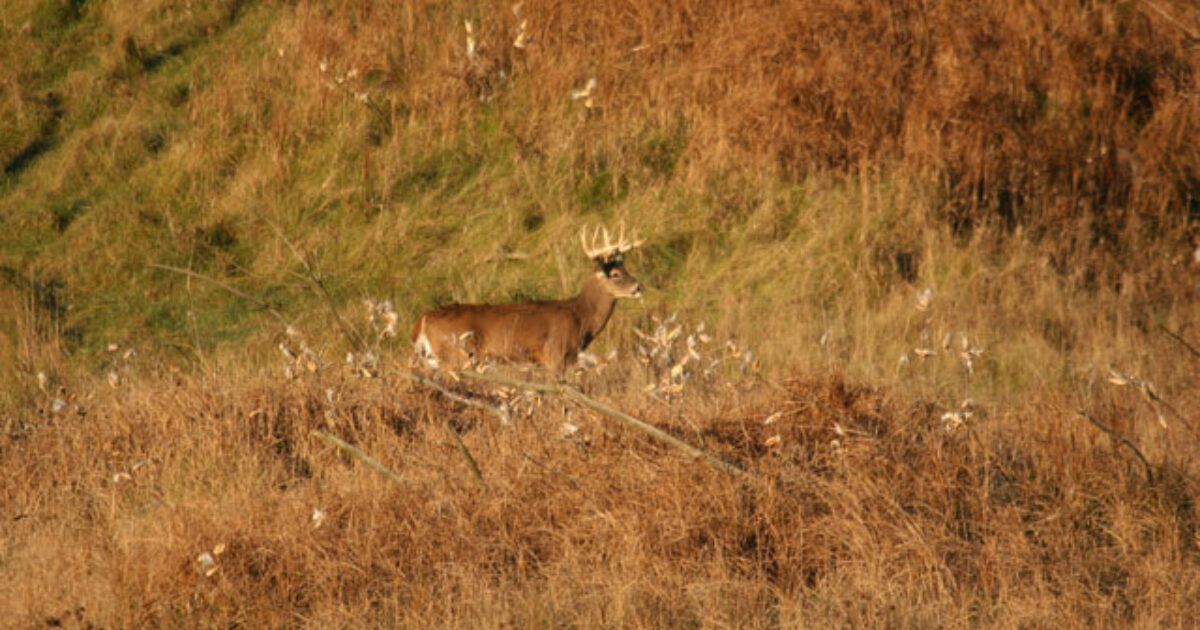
point(548, 333)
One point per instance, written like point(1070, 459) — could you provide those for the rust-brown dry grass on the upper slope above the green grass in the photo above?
point(1022, 112)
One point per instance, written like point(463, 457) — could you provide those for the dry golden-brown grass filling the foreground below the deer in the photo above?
point(1022, 518)
